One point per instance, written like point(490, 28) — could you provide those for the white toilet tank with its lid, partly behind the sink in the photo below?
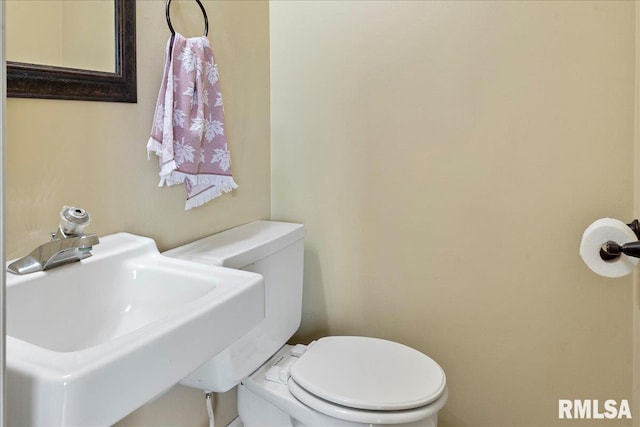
point(275, 250)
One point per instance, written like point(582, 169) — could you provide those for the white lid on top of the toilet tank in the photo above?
point(242, 245)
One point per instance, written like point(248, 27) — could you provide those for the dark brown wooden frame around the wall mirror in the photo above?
point(27, 80)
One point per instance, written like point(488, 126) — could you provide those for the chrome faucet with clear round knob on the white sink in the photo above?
point(68, 244)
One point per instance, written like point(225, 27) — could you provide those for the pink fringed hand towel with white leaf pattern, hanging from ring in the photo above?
point(188, 127)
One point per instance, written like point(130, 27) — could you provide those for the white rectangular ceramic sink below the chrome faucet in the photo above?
point(90, 342)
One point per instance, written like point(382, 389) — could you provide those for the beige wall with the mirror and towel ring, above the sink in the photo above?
point(92, 154)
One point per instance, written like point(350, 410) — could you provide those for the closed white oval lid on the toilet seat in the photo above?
point(369, 373)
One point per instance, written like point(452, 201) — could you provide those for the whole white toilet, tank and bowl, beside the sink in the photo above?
point(334, 381)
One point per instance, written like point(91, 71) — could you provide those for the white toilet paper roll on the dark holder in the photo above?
point(600, 232)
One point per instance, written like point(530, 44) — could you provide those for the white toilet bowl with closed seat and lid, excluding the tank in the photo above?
point(344, 381)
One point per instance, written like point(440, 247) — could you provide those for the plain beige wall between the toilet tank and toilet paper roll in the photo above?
point(446, 158)
